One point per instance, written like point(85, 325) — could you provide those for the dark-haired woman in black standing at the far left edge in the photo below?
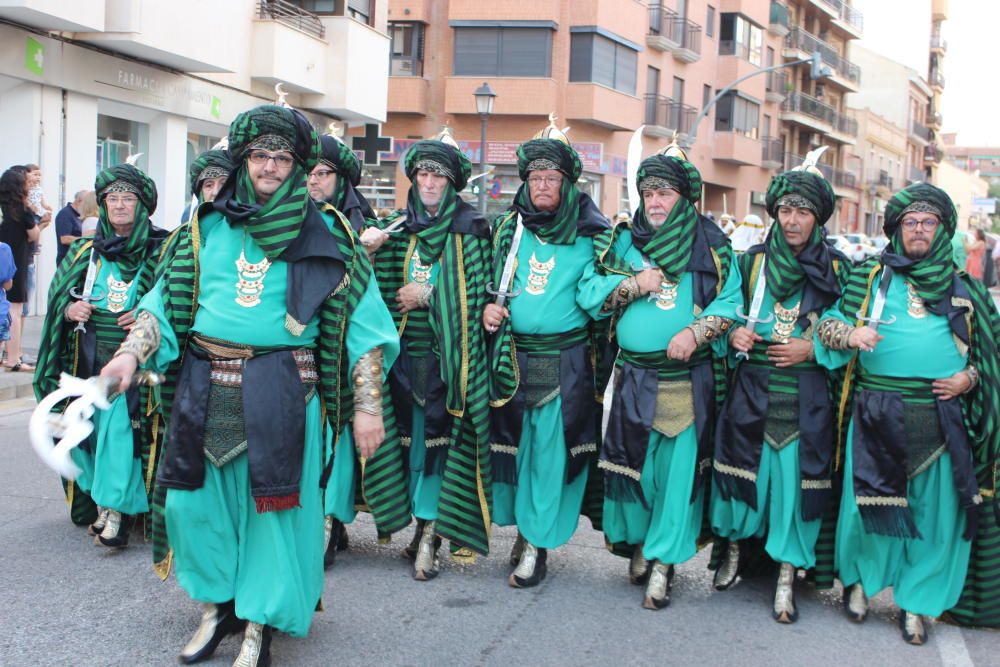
point(19, 227)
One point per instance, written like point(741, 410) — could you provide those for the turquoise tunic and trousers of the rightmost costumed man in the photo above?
point(927, 574)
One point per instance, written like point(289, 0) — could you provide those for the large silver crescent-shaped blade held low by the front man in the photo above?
point(71, 427)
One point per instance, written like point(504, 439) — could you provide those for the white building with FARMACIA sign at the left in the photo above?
point(85, 83)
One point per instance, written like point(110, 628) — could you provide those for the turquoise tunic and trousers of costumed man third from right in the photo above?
point(668, 527)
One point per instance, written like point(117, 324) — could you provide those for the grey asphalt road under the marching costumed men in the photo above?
point(65, 601)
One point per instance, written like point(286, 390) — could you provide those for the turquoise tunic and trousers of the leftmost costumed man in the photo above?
point(111, 473)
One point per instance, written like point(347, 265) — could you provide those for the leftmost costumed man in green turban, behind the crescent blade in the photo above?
point(116, 461)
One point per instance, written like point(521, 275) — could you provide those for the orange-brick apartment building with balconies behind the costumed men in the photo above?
point(604, 67)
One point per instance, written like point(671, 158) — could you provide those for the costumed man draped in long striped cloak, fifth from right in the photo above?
point(433, 274)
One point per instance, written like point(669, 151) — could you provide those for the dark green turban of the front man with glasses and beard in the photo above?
point(273, 128)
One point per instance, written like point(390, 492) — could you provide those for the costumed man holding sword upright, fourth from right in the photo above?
point(544, 434)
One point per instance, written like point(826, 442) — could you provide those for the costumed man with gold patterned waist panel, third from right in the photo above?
point(658, 444)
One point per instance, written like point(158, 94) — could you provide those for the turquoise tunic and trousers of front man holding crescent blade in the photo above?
point(270, 563)
